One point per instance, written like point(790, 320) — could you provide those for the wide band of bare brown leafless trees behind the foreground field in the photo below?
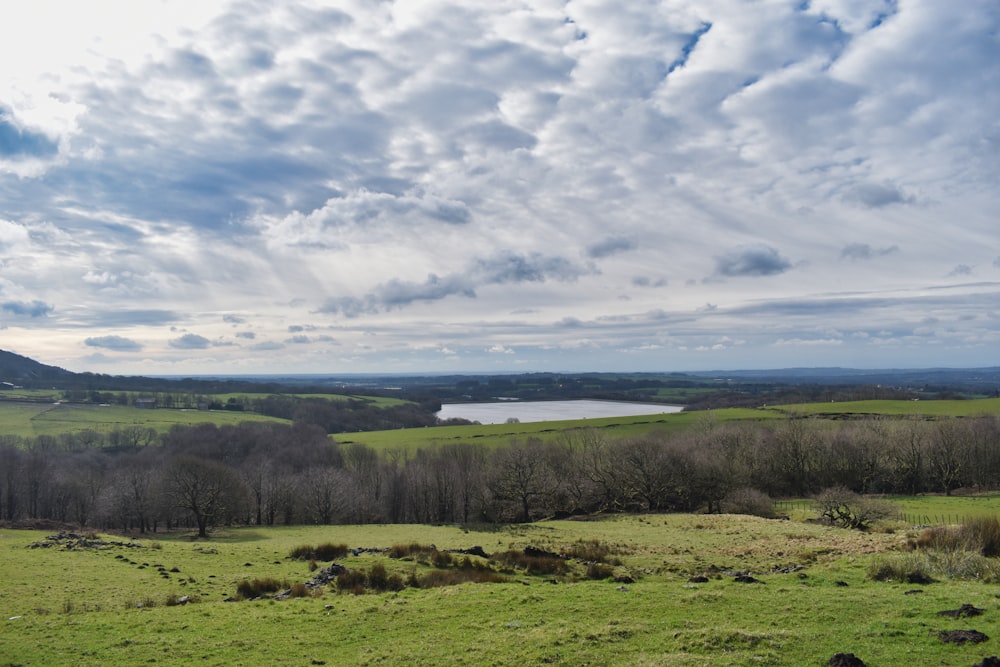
point(266, 474)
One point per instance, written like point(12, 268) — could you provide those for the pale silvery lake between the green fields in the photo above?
point(540, 411)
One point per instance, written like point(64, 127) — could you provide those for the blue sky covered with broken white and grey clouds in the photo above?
point(390, 186)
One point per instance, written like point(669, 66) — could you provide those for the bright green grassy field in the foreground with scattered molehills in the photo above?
point(78, 606)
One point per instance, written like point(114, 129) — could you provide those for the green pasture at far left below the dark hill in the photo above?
point(34, 419)
